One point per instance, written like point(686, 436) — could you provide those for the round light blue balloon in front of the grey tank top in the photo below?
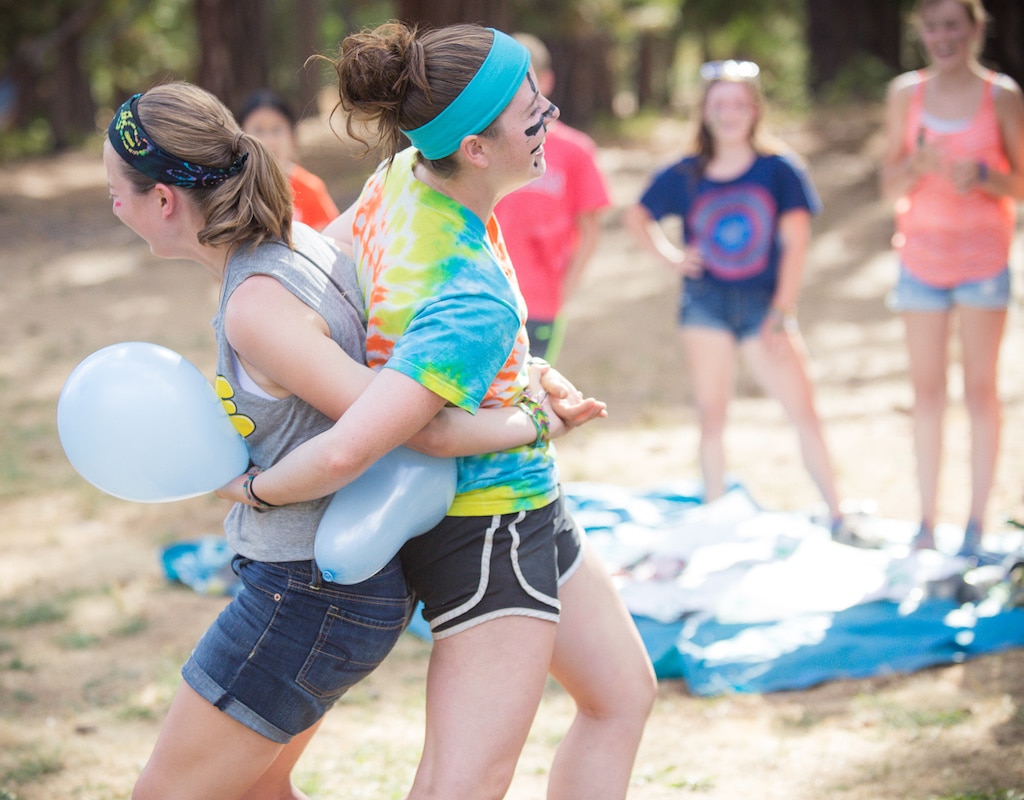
point(142, 423)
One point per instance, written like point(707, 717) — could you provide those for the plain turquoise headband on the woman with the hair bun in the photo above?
point(480, 104)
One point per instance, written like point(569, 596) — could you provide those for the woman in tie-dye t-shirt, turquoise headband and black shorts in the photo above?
point(511, 591)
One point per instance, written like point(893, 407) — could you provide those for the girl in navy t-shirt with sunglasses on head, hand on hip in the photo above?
point(746, 209)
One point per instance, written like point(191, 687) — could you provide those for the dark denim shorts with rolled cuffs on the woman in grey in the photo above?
point(290, 645)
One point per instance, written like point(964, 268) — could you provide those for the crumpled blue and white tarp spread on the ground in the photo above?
point(732, 598)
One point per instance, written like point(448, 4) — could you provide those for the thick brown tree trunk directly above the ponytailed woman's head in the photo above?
point(234, 48)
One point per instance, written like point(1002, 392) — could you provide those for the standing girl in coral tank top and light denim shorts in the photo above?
point(955, 165)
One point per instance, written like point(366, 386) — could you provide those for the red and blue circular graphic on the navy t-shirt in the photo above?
point(735, 227)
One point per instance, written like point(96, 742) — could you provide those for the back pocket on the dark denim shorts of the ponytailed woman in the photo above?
point(350, 648)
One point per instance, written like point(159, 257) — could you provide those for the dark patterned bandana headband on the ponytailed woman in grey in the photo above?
point(134, 145)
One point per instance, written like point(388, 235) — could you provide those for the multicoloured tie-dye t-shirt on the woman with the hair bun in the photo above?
point(444, 309)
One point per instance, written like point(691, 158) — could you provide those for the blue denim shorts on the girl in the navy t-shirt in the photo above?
point(738, 310)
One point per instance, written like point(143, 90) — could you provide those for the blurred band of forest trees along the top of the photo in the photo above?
point(66, 64)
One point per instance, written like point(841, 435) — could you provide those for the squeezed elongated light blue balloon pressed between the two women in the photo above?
point(401, 496)
